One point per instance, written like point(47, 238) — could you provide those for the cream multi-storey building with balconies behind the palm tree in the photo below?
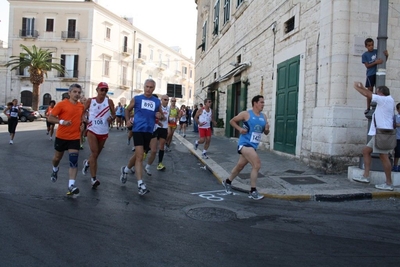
point(94, 45)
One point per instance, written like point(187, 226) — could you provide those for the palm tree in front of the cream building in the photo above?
point(38, 62)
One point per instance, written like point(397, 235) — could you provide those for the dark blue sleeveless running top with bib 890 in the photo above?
point(145, 113)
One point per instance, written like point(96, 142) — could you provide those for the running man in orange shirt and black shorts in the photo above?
point(68, 114)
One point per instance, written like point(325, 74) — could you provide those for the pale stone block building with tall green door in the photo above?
point(303, 57)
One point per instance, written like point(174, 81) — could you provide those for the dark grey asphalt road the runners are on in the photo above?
point(185, 220)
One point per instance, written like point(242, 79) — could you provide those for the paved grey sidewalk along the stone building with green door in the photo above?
point(285, 178)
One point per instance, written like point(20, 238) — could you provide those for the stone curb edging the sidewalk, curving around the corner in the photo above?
point(220, 174)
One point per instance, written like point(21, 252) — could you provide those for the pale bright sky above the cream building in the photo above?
point(173, 22)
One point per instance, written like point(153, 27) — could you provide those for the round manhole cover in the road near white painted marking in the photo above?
point(211, 214)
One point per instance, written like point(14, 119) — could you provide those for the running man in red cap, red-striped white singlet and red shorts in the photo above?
point(100, 113)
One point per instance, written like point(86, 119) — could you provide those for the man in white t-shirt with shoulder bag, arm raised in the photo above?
point(383, 117)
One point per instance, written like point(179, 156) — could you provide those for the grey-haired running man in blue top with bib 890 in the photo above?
point(146, 108)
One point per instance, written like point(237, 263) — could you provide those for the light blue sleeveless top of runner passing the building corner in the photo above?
point(255, 127)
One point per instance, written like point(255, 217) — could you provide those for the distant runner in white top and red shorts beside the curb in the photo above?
point(204, 118)
